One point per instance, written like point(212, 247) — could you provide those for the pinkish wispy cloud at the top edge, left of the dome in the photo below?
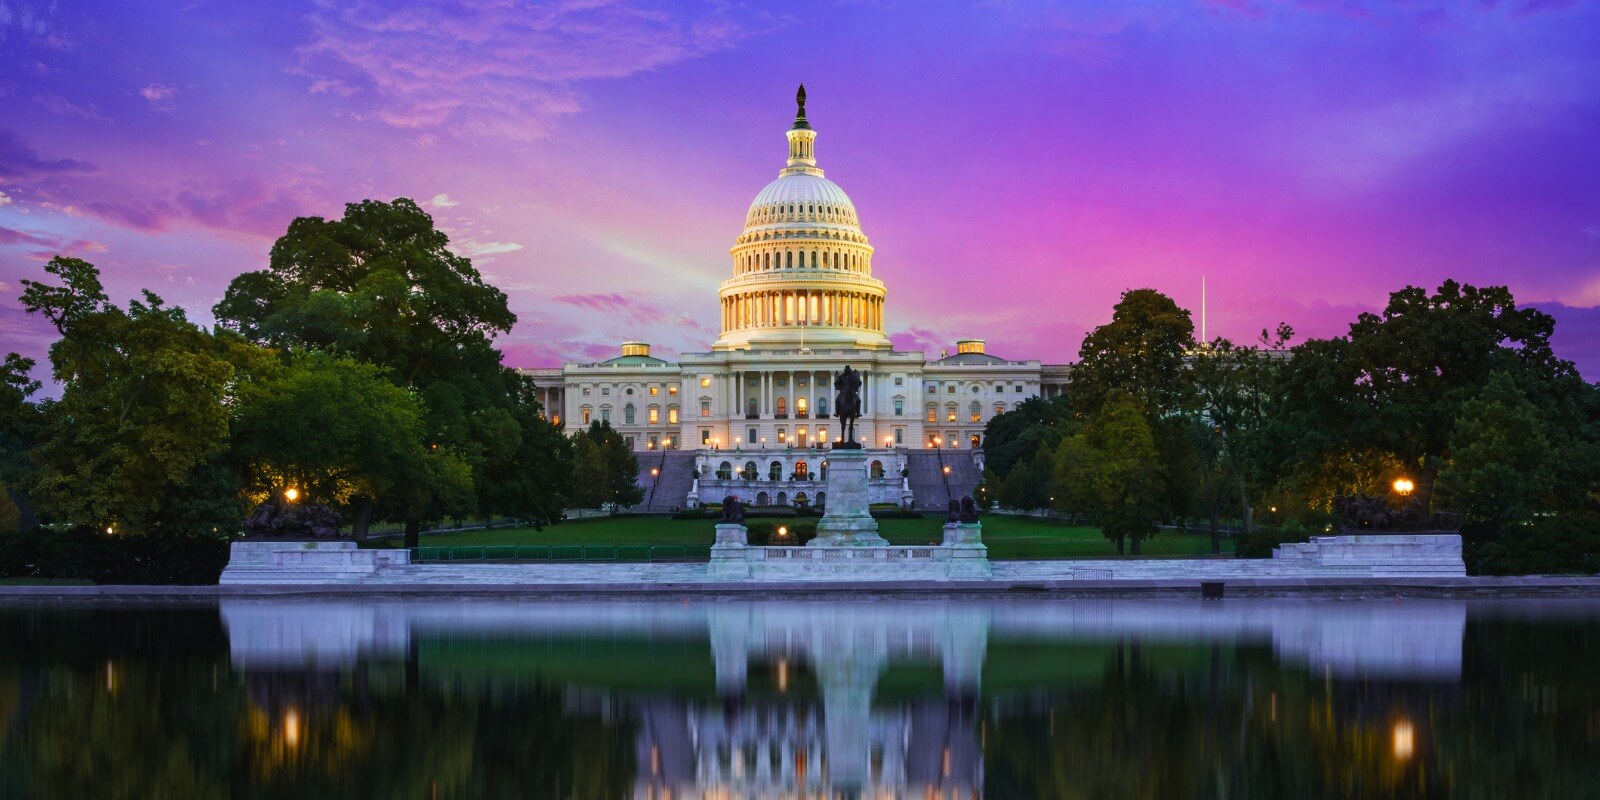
point(497, 70)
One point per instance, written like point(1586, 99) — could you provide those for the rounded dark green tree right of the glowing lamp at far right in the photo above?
point(1502, 462)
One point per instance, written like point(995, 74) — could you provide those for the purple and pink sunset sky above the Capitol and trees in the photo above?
point(1017, 164)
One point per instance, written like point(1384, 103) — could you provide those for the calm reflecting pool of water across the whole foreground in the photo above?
point(793, 698)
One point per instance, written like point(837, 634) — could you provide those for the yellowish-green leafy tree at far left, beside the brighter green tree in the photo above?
point(142, 402)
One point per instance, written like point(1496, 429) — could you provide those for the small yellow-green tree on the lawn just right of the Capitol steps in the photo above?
point(1113, 471)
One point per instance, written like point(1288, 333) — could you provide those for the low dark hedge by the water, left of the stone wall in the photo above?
point(89, 556)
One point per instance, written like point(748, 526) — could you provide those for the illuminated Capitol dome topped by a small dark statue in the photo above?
point(802, 268)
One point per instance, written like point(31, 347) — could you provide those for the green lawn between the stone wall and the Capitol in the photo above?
point(1006, 537)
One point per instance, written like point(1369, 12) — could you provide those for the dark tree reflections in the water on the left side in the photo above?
point(150, 706)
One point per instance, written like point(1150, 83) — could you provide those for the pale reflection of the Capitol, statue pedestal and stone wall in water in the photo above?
point(799, 706)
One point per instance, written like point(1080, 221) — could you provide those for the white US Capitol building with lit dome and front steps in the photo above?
point(751, 417)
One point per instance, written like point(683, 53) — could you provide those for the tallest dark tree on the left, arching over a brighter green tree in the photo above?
point(383, 287)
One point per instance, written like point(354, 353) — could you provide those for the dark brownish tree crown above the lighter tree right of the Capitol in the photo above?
point(1140, 351)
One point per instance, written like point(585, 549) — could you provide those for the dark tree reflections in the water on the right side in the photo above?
point(1524, 722)
